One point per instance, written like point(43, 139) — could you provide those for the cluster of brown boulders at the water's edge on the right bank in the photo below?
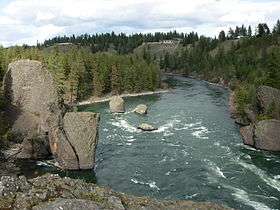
point(261, 133)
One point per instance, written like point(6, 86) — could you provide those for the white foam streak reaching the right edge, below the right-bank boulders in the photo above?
point(275, 183)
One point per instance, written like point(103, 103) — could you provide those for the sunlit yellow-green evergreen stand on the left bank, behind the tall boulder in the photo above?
point(80, 74)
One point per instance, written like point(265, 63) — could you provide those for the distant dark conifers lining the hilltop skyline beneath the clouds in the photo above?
point(124, 44)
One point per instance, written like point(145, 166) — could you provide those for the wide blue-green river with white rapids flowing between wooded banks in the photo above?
point(197, 152)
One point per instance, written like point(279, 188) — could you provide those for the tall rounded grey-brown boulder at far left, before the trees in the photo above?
point(34, 108)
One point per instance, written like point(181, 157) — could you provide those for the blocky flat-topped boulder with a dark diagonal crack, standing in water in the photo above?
point(81, 131)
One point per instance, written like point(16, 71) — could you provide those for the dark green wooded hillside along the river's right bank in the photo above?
point(244, 62)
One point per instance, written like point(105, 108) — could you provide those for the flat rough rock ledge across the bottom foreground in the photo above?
point(54, 192)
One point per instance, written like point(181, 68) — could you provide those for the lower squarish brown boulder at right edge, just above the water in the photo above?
point(267, 135)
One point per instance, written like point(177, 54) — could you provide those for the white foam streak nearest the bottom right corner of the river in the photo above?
point(243, 197)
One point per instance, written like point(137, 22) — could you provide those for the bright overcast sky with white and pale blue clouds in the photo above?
point(26, 21)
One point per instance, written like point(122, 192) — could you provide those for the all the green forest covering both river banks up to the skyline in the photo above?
point(99, 64)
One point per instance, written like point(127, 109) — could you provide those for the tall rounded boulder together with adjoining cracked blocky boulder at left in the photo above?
point(37, 116)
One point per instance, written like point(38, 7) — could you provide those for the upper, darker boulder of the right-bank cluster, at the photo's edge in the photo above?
point(269, 98)
